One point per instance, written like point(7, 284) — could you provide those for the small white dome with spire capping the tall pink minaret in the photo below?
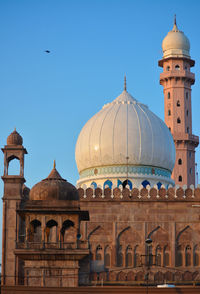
point(176, 44)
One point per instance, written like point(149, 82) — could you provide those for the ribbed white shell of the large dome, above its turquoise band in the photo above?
point(125, 130)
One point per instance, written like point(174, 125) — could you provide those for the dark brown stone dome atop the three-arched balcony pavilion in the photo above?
point(54, 187)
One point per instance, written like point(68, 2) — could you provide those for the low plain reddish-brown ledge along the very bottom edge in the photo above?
point(96, 290)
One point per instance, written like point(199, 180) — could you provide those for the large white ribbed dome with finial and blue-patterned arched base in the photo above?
point(125, 140)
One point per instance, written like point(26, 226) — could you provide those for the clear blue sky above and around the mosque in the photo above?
point(49, 97)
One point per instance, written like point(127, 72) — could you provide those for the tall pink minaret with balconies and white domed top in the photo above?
point(176, 80)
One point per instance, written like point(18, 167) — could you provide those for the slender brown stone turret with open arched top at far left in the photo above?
point(13, 194)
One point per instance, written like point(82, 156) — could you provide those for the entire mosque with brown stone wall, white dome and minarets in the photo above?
point(133, 218)
